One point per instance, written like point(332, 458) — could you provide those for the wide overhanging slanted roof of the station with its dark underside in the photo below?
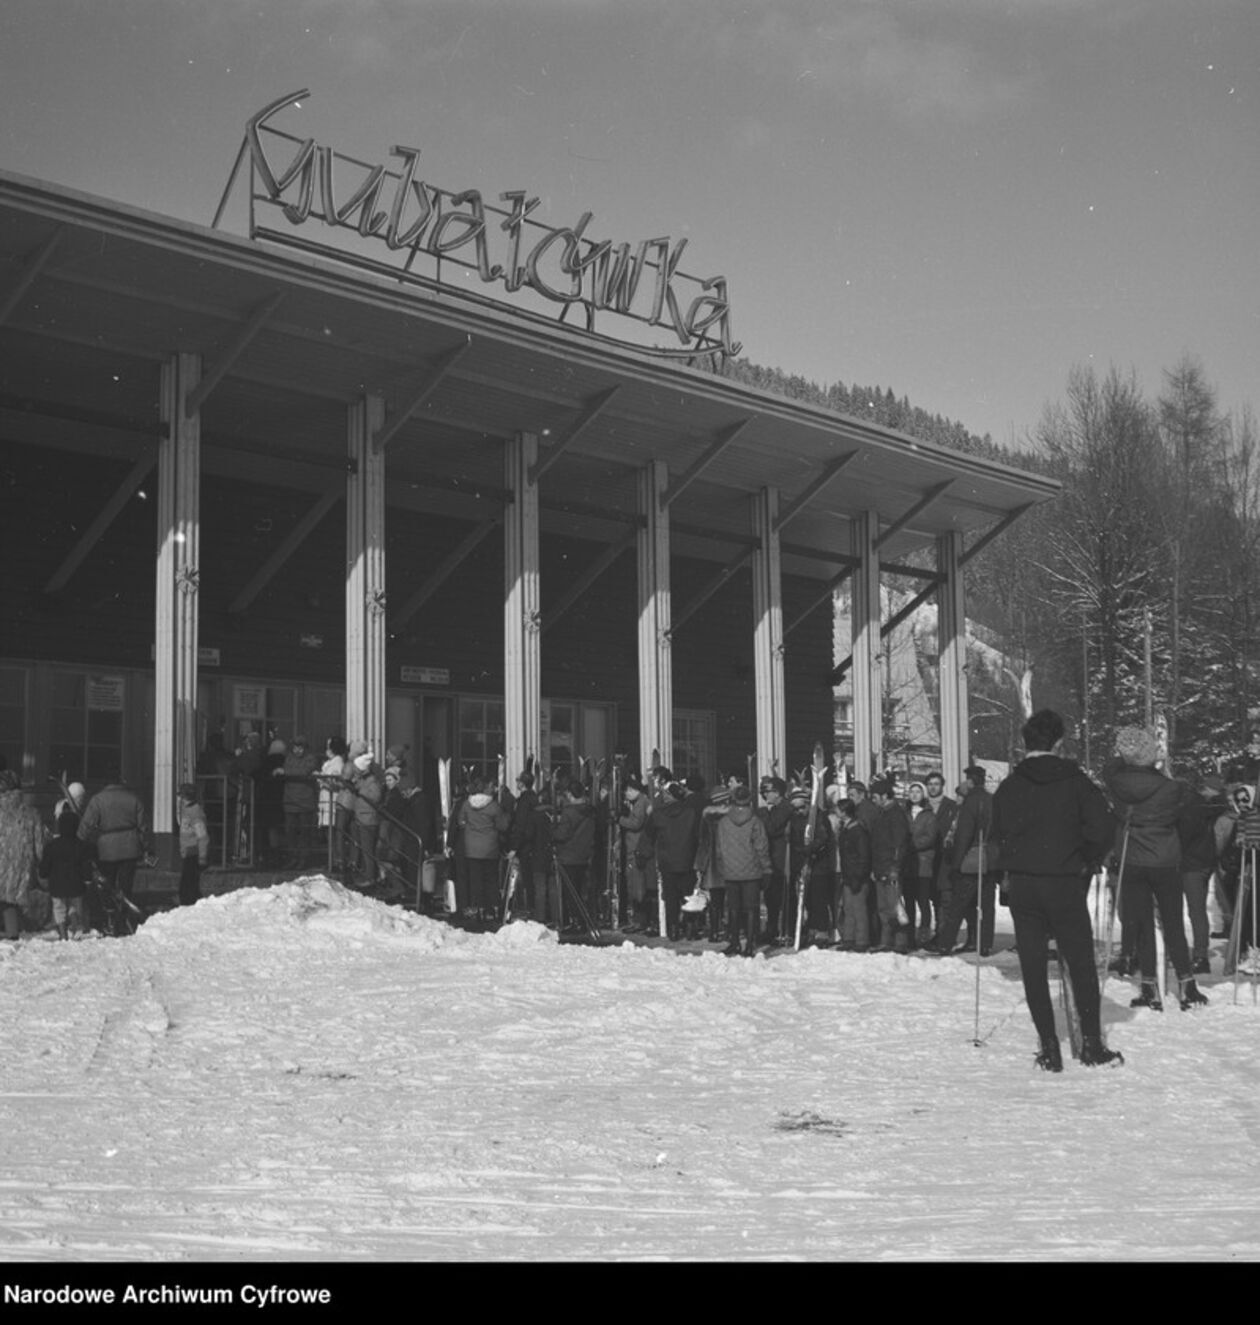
point(95, 296)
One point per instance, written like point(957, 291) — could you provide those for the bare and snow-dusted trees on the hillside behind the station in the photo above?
point(1139, 589)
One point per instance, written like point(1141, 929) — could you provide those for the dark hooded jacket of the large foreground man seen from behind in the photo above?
point(1051, 820)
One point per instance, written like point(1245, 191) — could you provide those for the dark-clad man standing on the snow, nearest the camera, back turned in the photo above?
point(1054, 827)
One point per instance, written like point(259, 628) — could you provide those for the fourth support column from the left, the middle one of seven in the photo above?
point(655, 664)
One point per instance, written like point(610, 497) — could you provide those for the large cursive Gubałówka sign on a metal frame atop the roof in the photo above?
point(397, 211)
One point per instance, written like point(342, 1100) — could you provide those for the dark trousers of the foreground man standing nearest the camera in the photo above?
point(1054, 907)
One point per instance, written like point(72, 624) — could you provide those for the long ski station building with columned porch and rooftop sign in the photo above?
point(390, 462)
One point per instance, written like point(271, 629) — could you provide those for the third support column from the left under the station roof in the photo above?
point(523, 604)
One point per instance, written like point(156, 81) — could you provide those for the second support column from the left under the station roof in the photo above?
point(366, 577)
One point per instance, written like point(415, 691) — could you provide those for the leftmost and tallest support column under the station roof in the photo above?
point(176, 627)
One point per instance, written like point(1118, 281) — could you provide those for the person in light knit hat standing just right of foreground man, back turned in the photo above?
point(1152, 805)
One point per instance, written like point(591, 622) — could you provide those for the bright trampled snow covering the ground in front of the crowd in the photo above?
point(304, 1074)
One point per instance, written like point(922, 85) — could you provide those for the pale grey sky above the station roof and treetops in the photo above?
point(960, 199)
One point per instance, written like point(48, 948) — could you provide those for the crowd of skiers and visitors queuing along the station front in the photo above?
point(870, 869)
